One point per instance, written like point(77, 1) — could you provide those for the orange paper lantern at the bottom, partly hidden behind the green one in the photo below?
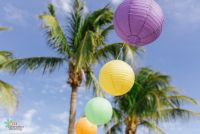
point(83, 126)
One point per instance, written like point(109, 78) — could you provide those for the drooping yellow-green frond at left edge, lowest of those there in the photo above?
point(8, 97)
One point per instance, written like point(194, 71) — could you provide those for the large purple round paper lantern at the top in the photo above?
point(138, 22)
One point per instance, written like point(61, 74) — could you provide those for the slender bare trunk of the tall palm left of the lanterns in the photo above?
point(72, 114)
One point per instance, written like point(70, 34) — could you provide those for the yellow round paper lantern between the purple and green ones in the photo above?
point(116, 77)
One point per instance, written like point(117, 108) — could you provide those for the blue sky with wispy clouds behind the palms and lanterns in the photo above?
point(44, 100)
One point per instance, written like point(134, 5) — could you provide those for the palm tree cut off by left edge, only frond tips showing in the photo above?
point(8, 94)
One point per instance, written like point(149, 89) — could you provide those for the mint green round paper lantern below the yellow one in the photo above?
point(98, 111)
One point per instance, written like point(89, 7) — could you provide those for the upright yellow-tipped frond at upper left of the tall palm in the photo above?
point(55, 34)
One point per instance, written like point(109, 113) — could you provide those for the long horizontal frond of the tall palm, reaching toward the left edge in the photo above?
point(47, 64)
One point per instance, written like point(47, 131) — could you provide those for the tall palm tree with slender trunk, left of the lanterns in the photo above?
point(80, 46)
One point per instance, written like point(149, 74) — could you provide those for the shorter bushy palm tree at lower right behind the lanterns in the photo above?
point(152, 100)
